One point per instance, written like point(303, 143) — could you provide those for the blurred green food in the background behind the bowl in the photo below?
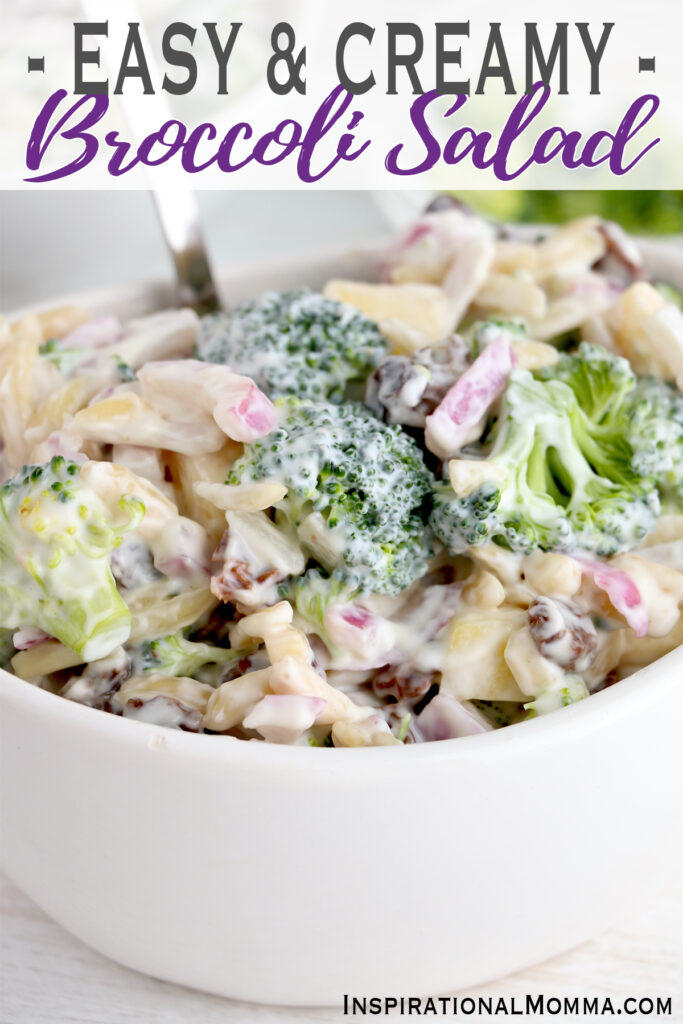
point(644, 212)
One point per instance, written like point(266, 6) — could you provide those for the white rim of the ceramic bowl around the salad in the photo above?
point(630, 696)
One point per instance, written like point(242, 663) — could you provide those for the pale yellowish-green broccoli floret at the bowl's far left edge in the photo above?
point(56, 541)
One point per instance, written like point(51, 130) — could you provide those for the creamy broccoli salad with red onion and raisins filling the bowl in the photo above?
point(409, 509)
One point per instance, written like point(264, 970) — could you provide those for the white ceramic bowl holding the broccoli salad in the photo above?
point(293, 876)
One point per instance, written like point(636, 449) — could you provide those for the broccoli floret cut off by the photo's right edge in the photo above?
point(657, 438)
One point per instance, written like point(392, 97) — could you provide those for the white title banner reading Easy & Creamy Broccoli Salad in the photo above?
point(219, 95)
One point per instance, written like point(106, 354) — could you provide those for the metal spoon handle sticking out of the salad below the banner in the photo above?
point(180, 217)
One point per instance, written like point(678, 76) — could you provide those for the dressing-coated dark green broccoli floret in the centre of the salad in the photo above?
point(357, 490)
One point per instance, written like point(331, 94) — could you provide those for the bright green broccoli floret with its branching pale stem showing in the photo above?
point(567, 466)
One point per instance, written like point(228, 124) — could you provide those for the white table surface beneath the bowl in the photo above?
point(48, 977)
